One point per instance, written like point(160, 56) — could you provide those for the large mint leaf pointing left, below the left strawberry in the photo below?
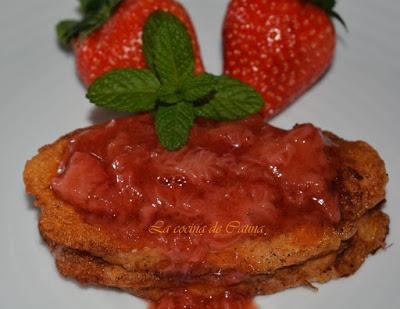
point(125, 90)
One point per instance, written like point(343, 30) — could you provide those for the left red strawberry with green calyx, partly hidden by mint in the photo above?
point(110, 34)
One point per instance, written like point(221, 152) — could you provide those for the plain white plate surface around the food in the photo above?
point(41, 99)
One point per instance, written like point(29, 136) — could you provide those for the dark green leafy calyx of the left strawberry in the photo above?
point(95, 13)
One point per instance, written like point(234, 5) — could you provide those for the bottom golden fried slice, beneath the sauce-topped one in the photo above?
point(372, 229)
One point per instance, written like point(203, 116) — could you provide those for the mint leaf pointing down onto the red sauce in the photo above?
point(173, 124)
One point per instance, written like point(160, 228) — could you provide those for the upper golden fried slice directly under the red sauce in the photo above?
point(361, 184)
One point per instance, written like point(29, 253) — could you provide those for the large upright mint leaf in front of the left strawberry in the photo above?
point(168, 49)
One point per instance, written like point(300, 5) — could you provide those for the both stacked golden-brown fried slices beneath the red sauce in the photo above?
point(304, 254)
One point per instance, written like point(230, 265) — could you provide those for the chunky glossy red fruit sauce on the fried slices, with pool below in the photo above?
point(120, 178)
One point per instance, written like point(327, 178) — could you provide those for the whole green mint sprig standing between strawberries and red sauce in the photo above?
point(169, 89)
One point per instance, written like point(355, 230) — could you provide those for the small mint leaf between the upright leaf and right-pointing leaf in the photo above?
point(198, 87)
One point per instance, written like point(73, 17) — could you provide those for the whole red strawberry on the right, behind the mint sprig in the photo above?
point(280, 47)
